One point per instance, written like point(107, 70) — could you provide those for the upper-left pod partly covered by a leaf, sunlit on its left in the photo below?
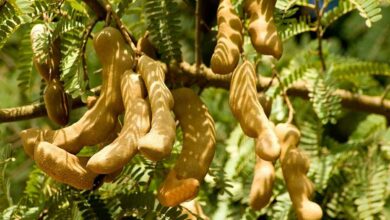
point(48, 69)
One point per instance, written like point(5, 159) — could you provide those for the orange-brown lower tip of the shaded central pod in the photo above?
point(175, 191)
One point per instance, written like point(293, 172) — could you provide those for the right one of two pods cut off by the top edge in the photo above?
point(262, 29)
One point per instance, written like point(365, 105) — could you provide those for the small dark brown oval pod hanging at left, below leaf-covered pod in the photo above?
point(56, 103)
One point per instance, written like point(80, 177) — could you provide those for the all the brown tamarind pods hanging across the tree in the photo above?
point(149, 127)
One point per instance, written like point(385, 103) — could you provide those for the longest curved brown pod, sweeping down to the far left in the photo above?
point(98, 122)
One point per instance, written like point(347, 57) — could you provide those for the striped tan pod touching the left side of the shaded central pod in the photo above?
point(158, 142)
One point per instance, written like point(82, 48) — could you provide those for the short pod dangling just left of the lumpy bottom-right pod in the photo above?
point(263, 180)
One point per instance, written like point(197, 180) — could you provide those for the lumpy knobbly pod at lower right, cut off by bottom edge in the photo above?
point(295, 166)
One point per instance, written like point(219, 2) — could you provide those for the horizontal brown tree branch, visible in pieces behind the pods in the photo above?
point(356, 102)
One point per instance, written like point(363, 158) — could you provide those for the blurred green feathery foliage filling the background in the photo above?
point(349, 149)
